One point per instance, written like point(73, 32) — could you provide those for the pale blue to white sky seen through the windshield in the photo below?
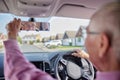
point(57, 24)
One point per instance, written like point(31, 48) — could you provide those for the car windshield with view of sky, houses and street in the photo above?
point(64, 34)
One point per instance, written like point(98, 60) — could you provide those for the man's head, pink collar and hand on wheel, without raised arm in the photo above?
point(103, 42)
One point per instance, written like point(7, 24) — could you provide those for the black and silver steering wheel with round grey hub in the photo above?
point(69, 67)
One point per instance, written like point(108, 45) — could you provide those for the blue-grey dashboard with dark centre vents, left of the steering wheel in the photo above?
point(42, 60)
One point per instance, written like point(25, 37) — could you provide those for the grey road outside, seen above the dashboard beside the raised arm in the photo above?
point(27, 48)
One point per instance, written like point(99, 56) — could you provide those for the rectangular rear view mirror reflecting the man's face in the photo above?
point(34, 26)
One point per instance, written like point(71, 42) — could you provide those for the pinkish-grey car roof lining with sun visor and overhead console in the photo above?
point(61, 8)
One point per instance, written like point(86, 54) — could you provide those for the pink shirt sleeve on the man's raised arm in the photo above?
point(17, 67)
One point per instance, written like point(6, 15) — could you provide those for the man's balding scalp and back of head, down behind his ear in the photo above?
point(107, 20)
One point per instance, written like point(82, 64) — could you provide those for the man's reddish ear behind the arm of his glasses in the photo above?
point(103, 44)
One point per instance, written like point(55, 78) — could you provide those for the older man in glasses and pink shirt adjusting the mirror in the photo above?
point(102, 43)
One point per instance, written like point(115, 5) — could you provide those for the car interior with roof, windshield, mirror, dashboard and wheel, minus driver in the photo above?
point(59, 63)
